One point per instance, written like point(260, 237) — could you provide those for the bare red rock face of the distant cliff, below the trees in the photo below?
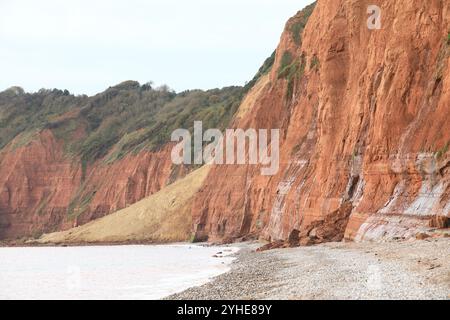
point(44, 190)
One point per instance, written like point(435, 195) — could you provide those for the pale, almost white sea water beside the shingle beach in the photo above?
point(108, 272)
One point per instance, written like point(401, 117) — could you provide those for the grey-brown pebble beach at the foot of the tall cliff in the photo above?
point(417, 269)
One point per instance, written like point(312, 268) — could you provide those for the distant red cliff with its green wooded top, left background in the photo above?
point(67, 160)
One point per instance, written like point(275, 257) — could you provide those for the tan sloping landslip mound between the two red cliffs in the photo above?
point(162, 217)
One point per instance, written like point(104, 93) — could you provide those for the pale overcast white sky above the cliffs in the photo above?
point(86, 46)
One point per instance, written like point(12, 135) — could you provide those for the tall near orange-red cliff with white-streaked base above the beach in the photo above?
point(364, 120)
